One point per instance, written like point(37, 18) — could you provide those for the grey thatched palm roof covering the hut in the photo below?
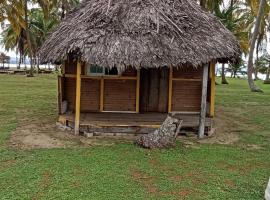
point(141, 33)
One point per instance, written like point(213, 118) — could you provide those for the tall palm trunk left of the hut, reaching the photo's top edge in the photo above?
point(31, 71)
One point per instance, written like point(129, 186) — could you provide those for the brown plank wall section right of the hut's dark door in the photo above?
point(187, 89)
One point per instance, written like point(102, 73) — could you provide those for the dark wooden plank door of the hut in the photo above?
point(154, 90)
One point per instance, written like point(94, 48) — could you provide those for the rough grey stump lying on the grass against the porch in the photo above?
point(163, 137)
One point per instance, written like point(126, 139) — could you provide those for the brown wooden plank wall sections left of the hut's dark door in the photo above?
point(119, 95)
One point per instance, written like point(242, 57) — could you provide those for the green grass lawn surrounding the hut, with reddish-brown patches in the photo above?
point(124, 171)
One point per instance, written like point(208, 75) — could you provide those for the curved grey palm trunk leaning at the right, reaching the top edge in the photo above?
point(251, 83)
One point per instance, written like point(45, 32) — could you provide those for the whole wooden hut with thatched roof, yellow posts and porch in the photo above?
point(126, 56)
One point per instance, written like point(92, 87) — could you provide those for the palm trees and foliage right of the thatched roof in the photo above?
point(249, 21)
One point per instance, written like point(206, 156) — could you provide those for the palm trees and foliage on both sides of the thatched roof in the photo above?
point(28, 22)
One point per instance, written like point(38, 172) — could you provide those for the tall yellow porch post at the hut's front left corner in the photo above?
point(78, 99)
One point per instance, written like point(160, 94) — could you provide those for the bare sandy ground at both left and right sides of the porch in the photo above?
point(36, 135)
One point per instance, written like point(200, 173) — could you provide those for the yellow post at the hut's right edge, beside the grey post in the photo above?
point(213, 89)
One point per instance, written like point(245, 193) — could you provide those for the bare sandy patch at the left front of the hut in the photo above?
point(47, 135)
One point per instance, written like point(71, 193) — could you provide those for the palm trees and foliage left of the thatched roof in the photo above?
point(27, 24)
